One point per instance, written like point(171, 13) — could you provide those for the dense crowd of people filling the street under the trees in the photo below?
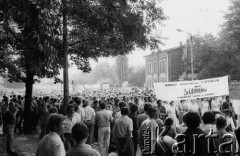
point(118, 121)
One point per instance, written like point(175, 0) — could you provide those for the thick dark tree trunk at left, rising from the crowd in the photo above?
point(27, 126)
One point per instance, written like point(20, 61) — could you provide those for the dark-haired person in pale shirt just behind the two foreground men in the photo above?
point(70, 120)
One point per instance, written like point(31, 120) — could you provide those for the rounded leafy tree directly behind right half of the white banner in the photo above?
point(214, 57)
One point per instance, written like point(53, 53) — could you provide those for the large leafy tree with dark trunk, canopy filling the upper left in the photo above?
point(91, 29)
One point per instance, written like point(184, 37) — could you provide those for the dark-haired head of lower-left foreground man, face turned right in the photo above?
point(56, 123)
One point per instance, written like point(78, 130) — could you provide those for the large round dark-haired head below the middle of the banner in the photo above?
point(192, 120)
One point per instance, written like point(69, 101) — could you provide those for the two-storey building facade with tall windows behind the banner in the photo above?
point(164, 66)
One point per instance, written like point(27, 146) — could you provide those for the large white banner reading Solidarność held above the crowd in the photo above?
point(183, 90)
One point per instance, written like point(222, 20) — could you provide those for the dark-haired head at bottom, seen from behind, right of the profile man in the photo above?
point(80, 132)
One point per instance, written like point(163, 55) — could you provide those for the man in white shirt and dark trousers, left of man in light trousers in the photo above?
point(89, 120)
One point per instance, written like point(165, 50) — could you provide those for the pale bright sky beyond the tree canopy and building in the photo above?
point(193, 16)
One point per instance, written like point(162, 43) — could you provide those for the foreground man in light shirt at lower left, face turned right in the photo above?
point(51, 144)
